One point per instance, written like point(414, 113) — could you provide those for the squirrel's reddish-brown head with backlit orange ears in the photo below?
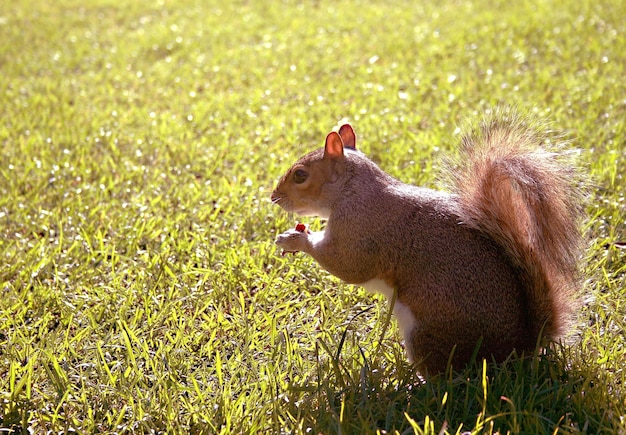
point(313, 184)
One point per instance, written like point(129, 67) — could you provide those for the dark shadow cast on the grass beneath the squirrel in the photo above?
point(523, 395)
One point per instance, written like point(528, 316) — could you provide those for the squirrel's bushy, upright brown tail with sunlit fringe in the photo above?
point(524, 192)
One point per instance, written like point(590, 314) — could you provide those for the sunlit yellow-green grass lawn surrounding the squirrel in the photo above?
point(140, 288)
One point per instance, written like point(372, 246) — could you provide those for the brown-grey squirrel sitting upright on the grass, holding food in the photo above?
point(488, 269)
